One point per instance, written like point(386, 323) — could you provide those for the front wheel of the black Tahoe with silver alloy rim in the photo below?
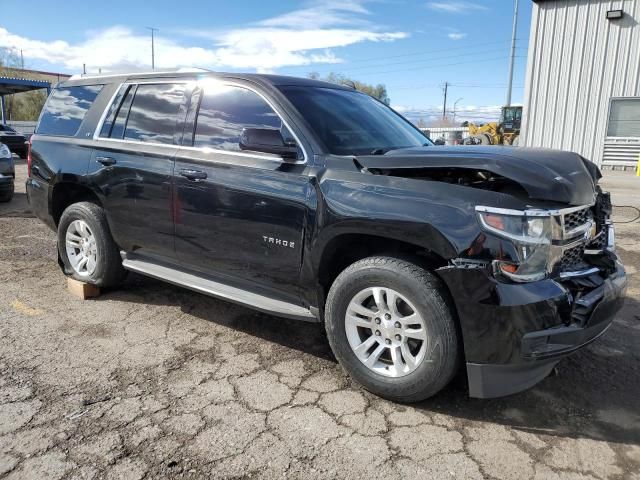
point(421, 293)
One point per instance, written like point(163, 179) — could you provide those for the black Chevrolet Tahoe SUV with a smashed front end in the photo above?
point(312, 201)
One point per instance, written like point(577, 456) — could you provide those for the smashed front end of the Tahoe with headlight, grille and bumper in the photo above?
point(534, 287)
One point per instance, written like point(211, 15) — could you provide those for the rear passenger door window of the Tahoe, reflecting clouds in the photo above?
point(153, 114)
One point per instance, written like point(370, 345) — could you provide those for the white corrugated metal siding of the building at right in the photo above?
point(577, 61)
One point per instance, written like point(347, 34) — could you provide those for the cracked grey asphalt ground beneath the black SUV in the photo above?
point(153, 381)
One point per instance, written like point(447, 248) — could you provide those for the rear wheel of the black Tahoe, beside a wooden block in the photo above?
point(104, 267)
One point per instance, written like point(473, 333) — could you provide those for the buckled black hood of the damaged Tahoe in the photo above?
point(550, 175)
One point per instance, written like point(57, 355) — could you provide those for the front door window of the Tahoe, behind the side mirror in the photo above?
point(225, 110)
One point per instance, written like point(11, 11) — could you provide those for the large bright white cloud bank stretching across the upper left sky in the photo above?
point(300, 37)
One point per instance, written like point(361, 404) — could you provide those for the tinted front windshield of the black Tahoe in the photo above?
point(353, 123)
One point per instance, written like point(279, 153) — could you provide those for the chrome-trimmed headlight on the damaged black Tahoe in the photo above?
point(530, 232)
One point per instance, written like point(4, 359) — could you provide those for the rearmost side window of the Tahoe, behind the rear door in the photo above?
point(65, 109)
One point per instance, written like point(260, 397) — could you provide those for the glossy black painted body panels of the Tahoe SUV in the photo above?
point(224, 222)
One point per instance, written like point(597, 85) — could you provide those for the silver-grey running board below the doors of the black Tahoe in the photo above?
point(216, 289)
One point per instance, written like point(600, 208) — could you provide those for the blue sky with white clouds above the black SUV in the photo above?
point(413, 47)
